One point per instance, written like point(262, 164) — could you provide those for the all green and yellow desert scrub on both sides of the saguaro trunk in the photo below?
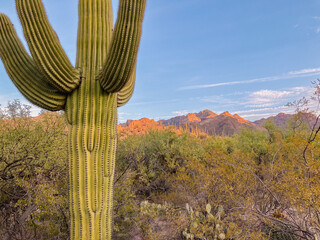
point(169, 185)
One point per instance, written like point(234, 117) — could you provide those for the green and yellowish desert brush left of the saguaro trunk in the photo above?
point(33, 170)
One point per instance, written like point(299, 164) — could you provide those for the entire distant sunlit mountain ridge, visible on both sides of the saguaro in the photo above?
point(204, 123)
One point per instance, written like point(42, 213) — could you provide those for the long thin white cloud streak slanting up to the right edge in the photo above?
point(290, 75)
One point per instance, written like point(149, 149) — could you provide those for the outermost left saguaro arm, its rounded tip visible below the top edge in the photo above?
point(23, 72)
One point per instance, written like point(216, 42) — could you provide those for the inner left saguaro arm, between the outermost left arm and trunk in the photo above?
point(45, 47)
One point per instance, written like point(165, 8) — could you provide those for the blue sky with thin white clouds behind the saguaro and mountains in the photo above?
point(249, 57)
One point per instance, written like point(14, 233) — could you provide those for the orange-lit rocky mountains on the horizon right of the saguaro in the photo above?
point(207, 122)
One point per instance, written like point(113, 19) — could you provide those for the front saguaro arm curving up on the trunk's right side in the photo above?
point(122, 54)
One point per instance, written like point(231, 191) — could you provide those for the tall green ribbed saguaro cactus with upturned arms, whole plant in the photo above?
point(89, 93)
